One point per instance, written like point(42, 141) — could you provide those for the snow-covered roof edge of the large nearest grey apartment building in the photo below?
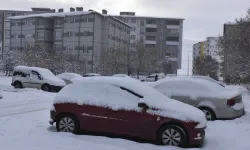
point(63, 14)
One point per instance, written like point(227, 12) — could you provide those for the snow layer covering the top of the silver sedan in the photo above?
point(186, 86)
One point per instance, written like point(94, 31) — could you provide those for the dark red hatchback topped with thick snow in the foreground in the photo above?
point(127, 107)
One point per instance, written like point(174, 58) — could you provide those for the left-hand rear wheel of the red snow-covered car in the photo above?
point(67, 123)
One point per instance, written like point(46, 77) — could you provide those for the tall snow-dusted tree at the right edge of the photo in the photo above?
point(236, 46)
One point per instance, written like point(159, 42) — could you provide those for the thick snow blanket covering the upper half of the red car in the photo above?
point(106, 92)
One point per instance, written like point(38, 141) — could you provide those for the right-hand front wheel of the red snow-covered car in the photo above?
point(172, 135)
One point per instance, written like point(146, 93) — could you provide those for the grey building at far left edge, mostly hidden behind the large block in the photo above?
point(5, 23)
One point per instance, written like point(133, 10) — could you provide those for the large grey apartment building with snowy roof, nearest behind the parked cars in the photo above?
point(84, 34)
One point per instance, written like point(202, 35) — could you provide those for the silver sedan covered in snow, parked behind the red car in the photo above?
point(214, 100)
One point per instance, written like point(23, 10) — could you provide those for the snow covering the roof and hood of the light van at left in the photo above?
point(45, 73)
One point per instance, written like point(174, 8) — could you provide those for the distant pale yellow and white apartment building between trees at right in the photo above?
point(210, 47)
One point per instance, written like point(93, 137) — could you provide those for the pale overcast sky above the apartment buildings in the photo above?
point(203, 18)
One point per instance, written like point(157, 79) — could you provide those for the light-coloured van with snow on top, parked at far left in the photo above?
point(35, 77)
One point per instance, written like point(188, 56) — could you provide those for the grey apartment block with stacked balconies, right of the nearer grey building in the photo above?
point(161, 34)
